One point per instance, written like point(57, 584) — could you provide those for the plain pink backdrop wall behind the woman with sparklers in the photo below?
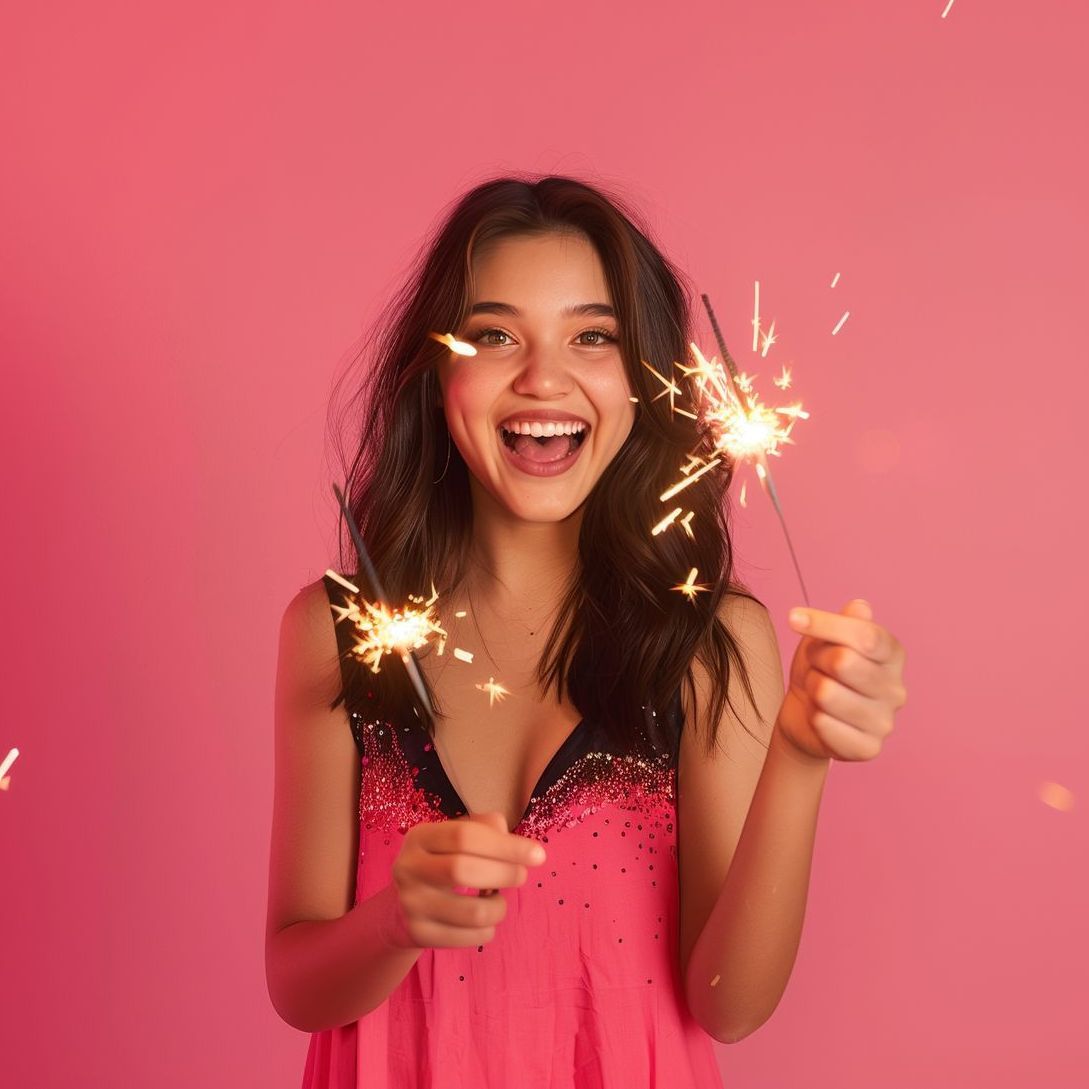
point(204, 205)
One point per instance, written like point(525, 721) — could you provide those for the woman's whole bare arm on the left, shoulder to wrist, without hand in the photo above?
point(327, 962)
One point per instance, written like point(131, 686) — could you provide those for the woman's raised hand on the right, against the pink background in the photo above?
point(847, 683)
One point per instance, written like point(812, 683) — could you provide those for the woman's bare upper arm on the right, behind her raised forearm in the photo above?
point(715, 791)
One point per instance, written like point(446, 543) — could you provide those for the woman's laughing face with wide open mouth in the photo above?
point(545, 405)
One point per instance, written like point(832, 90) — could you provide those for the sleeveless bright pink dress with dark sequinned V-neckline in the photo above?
point(581, 987)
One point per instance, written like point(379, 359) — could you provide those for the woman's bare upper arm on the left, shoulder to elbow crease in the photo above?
point(316, 789)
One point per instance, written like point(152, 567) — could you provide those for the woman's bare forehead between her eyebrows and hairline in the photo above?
point(547, 271)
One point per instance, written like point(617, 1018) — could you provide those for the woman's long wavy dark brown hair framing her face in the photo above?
point(623, 640)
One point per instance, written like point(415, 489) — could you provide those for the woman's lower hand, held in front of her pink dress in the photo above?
point(437, 859)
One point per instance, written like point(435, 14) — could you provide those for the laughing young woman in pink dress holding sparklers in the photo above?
point(644, 799)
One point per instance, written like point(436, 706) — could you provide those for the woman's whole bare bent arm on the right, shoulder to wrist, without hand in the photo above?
point(748, 825)
